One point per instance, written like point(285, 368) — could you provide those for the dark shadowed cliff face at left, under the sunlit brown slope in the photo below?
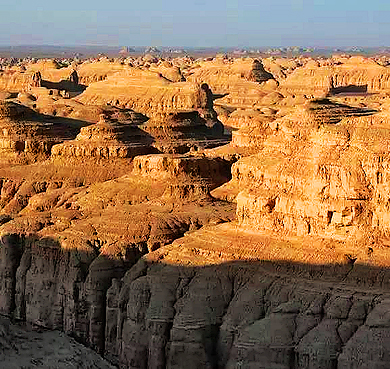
point(59, 289)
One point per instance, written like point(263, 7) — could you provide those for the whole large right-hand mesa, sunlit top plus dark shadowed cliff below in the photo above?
point(299, 281)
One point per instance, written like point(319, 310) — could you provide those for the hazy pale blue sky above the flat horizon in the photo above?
point(229, 23)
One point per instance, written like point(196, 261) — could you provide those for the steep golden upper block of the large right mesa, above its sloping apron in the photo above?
point(320, 148)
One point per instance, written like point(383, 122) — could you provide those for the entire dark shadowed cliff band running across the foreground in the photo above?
point(163, 314)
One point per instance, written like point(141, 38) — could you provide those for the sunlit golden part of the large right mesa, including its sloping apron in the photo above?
point(315, 193)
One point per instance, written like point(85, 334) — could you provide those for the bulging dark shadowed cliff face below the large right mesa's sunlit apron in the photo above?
point(250, 314)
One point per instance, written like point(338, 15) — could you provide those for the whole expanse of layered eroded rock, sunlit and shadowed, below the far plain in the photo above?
point(143, 238)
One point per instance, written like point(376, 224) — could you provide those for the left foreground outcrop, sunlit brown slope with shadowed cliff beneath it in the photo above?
point(81, 233)
